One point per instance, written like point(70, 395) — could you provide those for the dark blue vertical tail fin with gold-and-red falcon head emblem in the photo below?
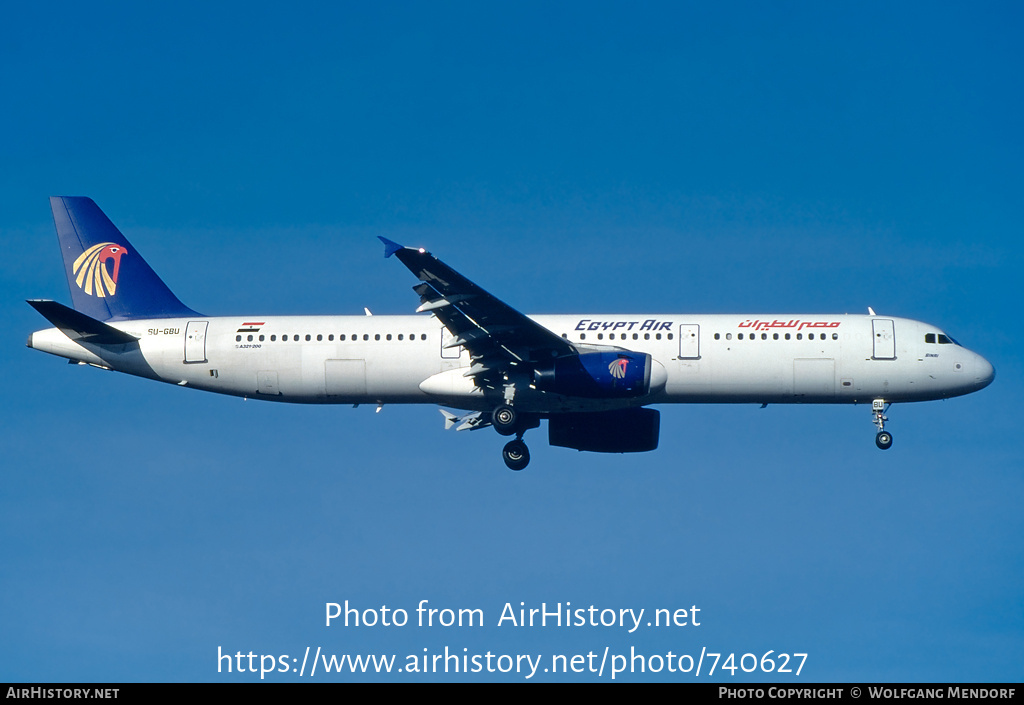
point(109, 279)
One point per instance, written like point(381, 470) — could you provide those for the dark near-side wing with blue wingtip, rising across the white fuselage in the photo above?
point(496, 335)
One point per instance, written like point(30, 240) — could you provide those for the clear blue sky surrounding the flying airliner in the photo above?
point(582, 158)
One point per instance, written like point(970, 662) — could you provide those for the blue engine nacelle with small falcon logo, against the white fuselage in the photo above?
point(596, 376)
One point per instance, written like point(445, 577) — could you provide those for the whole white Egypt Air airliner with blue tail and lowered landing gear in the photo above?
point(591, 377)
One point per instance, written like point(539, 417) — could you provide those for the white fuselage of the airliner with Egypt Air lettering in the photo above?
point(761, 359)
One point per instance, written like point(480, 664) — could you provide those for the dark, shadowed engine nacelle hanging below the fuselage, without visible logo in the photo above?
point(629, 431)
